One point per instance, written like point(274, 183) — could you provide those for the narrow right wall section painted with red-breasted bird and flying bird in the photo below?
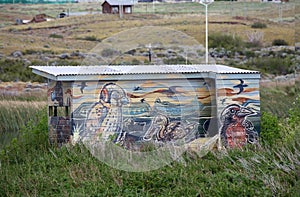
point(239, 106)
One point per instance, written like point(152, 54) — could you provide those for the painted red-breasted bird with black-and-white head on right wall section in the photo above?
point(236, 130)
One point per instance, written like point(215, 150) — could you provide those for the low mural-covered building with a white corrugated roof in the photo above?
point(154, 103)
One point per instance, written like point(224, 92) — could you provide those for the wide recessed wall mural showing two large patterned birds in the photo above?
point(135, 112)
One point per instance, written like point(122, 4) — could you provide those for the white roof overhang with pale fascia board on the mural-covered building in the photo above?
point(138, 72)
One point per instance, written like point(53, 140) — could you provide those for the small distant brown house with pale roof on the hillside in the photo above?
point(114, 6)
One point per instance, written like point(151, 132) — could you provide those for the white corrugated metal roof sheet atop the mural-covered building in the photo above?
point(137, 69)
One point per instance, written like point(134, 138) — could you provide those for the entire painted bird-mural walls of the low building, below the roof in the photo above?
point(131, 112)
